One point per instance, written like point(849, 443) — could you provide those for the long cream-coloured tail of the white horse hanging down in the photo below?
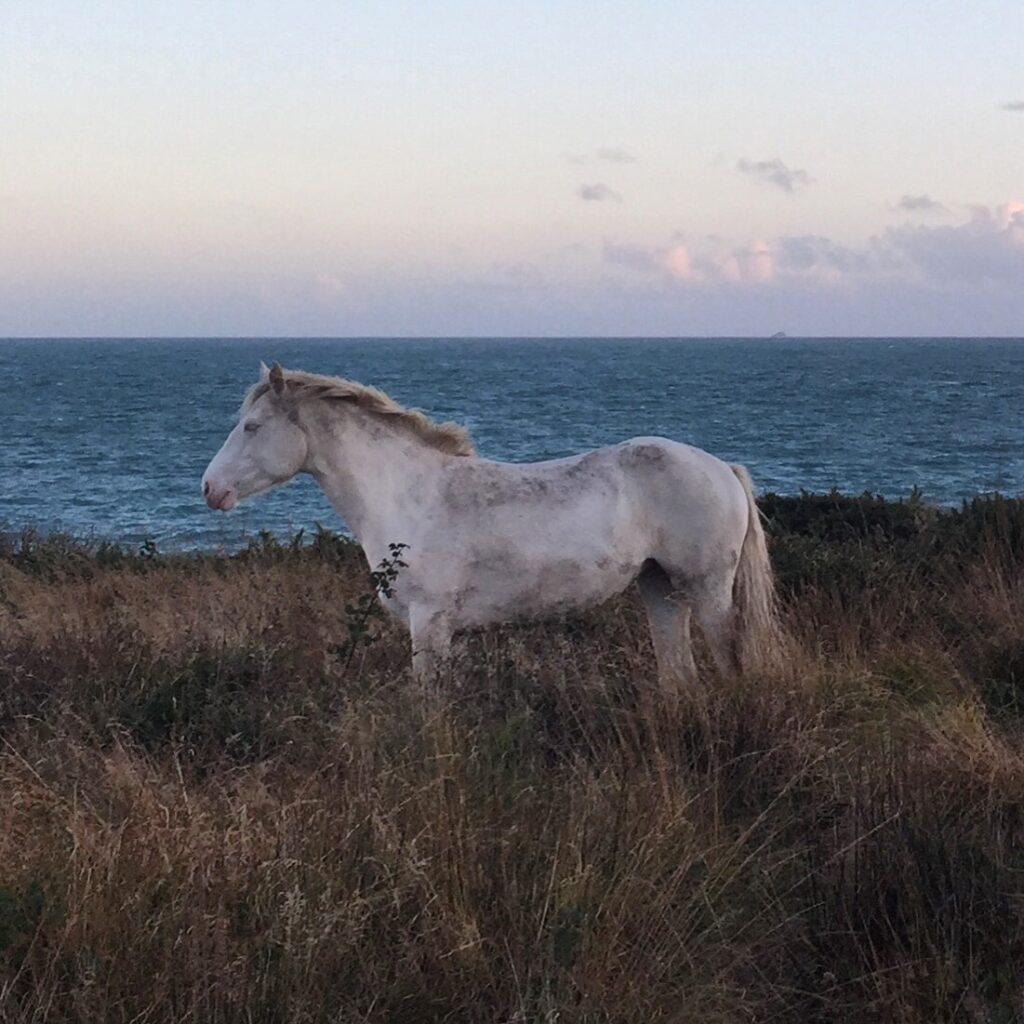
point(756, 622)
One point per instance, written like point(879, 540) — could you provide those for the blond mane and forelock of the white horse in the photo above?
point(448, 438)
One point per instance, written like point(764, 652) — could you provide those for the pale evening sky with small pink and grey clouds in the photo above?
point(543, 167)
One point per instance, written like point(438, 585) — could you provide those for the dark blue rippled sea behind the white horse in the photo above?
point(112, 437)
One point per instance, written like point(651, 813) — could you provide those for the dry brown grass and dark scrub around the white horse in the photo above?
point(214, 809)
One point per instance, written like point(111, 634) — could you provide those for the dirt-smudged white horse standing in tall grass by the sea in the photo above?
point(493, 541)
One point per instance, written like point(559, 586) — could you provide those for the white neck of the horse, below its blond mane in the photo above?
point(374, 476)
